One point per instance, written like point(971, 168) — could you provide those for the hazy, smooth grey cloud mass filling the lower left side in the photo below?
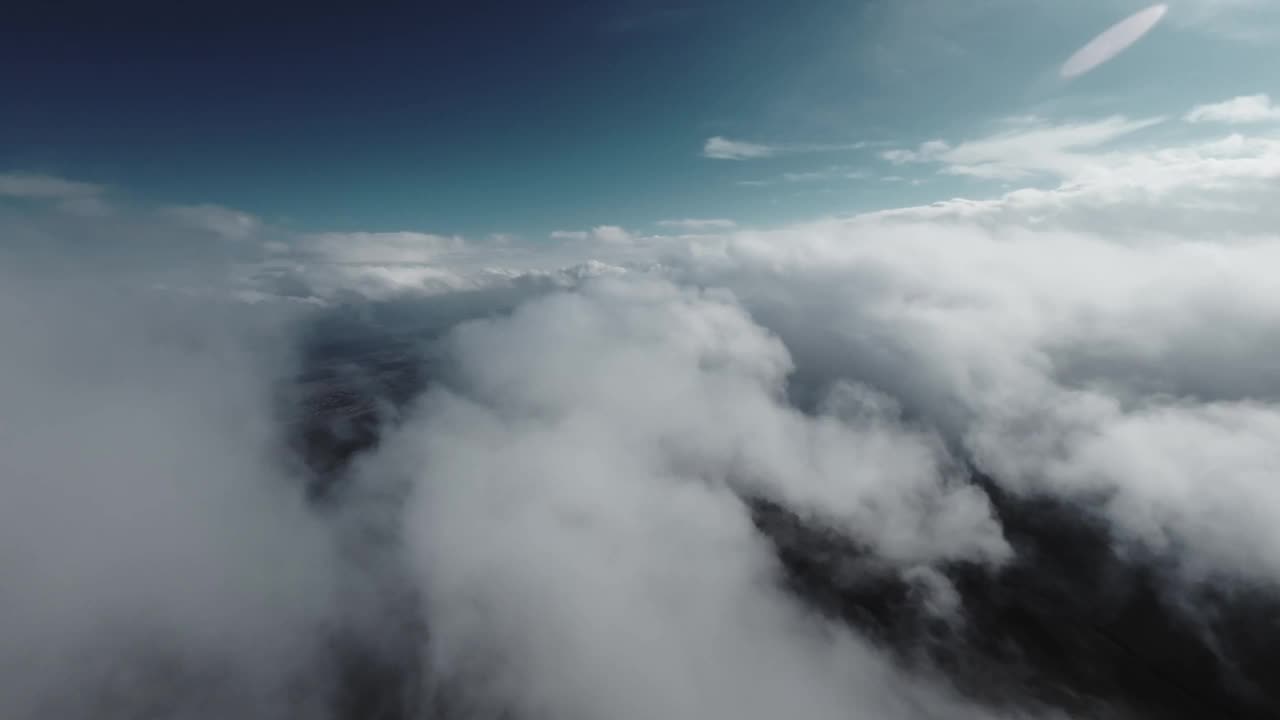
point(157, 555)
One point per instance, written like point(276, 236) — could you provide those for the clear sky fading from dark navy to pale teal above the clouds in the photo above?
point(528, 119)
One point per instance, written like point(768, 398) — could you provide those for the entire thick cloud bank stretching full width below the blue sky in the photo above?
point(976, 459)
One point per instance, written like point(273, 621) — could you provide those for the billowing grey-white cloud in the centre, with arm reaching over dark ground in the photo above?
point(580, 482)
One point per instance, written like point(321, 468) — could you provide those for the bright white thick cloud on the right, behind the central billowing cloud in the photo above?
point(1052, 356)
